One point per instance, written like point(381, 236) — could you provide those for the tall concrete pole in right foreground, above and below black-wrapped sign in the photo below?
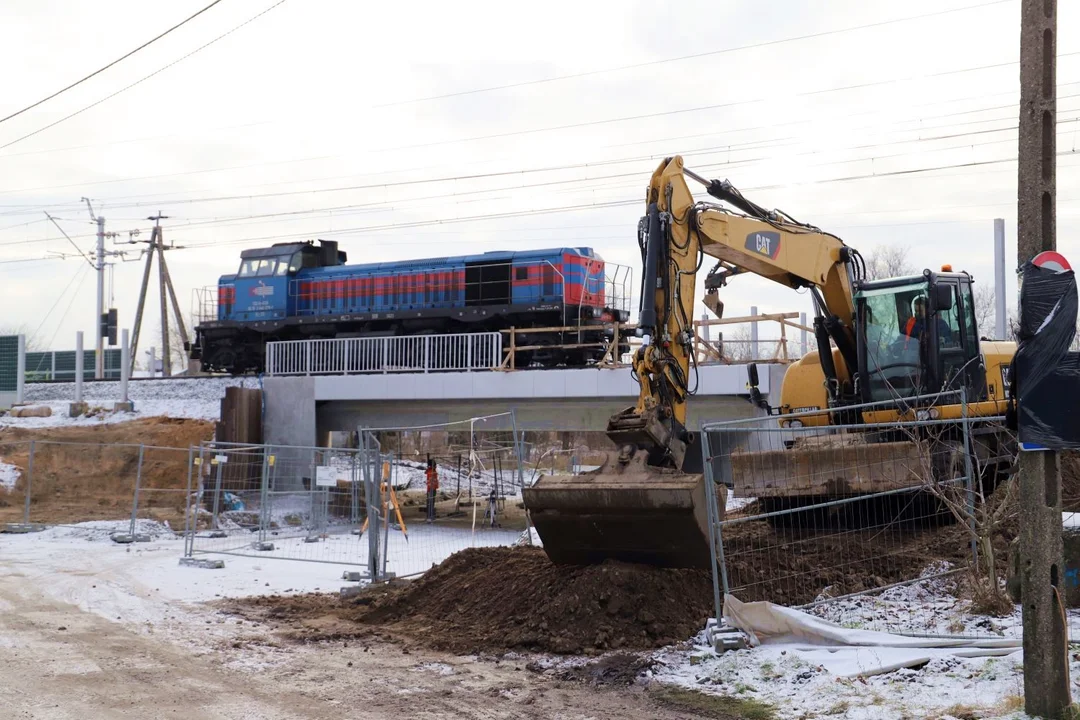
point(1046, 648)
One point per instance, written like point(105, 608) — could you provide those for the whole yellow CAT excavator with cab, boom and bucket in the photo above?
point(647, 502)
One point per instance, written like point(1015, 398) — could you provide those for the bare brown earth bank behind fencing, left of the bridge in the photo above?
point(88, 472)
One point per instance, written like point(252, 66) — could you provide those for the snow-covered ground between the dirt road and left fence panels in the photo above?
point(144, 587)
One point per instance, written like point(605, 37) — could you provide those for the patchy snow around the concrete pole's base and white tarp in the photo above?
point(807, 682)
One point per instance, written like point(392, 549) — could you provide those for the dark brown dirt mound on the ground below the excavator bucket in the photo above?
point(511, 599)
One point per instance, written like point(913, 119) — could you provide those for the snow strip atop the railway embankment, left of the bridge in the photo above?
point(198, 399)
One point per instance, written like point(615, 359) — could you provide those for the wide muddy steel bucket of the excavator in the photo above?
point(625, 511)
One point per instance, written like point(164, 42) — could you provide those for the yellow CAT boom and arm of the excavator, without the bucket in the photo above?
point(676, 236)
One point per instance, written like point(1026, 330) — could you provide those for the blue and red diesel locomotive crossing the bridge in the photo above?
point(303, 291)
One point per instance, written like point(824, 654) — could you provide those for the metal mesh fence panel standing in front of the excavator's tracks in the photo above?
point(825, 517)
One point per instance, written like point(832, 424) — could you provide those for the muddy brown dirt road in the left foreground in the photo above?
point(62, 663)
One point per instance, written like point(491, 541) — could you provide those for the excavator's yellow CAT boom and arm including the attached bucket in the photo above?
point(646, 504)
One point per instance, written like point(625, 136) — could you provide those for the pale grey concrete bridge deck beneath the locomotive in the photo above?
point(302, 411)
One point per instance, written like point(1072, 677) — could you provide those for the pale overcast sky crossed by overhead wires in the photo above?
point(369, 124)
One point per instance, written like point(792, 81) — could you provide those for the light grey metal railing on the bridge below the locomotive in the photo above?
point(425, 354)
